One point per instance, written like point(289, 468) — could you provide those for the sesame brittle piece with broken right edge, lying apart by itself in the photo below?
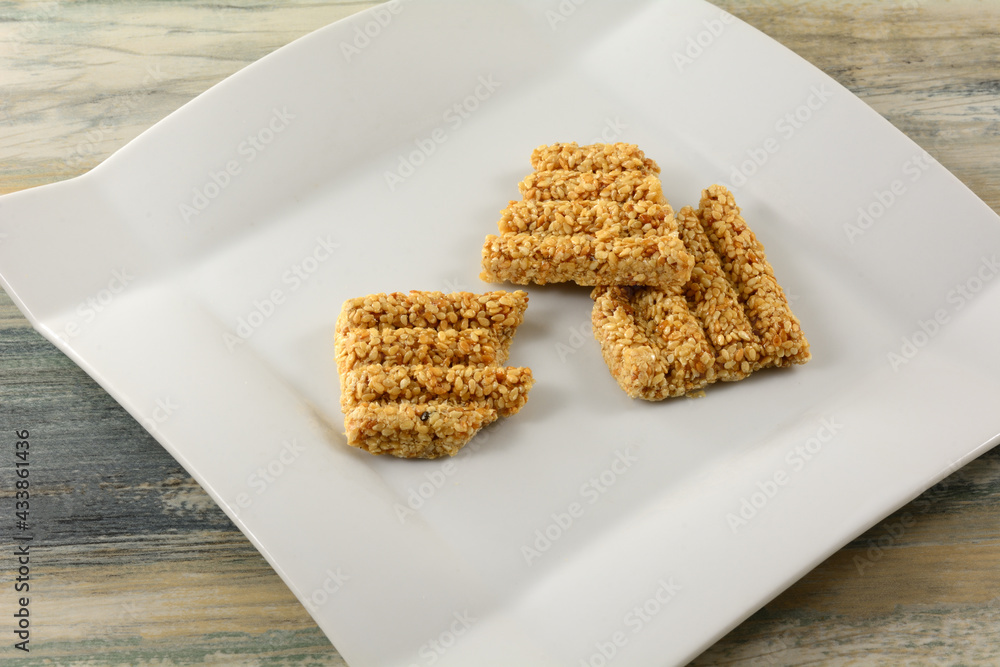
point(421, 372)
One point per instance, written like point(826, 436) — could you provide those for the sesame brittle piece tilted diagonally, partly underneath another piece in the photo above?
point(729, 320)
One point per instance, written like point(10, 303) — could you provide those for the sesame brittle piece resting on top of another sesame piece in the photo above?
point(586, 218)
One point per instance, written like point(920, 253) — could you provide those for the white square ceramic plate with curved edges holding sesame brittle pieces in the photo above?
point(197, 275)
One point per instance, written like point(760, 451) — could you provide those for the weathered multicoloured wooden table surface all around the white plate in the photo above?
point(139, 567)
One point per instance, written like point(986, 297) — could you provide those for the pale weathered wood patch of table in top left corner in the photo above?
point(83, 79)
